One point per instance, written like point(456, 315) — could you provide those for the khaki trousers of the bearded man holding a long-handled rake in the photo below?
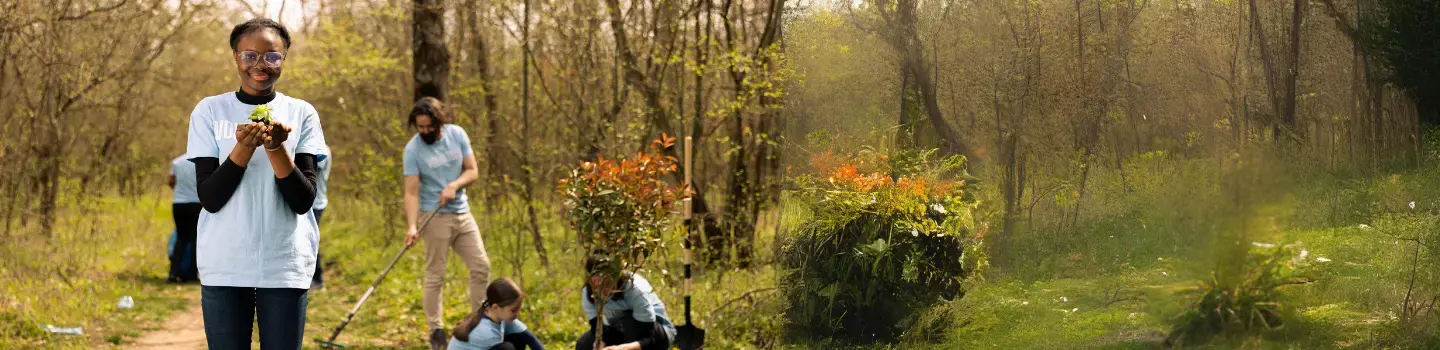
point(459, 233)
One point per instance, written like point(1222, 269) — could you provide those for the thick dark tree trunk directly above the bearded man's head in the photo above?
point(431, 57)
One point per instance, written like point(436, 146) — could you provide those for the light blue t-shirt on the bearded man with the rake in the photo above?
point(440, 165)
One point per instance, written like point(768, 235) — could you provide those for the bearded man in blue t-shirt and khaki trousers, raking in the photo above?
point(438, 166)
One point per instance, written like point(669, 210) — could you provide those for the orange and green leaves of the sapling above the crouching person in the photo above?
point(620, 208)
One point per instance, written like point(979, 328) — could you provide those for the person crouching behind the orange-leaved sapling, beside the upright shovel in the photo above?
point(634, 316)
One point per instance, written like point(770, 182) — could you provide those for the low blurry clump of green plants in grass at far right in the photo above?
point(1243, 305)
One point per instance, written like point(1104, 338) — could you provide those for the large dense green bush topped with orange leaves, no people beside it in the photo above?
point(878, 250)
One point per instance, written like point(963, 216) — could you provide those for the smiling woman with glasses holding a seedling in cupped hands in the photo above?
point(256, 153)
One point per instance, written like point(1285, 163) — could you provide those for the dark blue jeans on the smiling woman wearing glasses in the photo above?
point(231, 310)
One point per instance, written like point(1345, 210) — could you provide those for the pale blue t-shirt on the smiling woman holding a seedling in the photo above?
point(256, 240)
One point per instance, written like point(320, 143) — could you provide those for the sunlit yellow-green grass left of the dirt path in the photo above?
point(100, 251)
